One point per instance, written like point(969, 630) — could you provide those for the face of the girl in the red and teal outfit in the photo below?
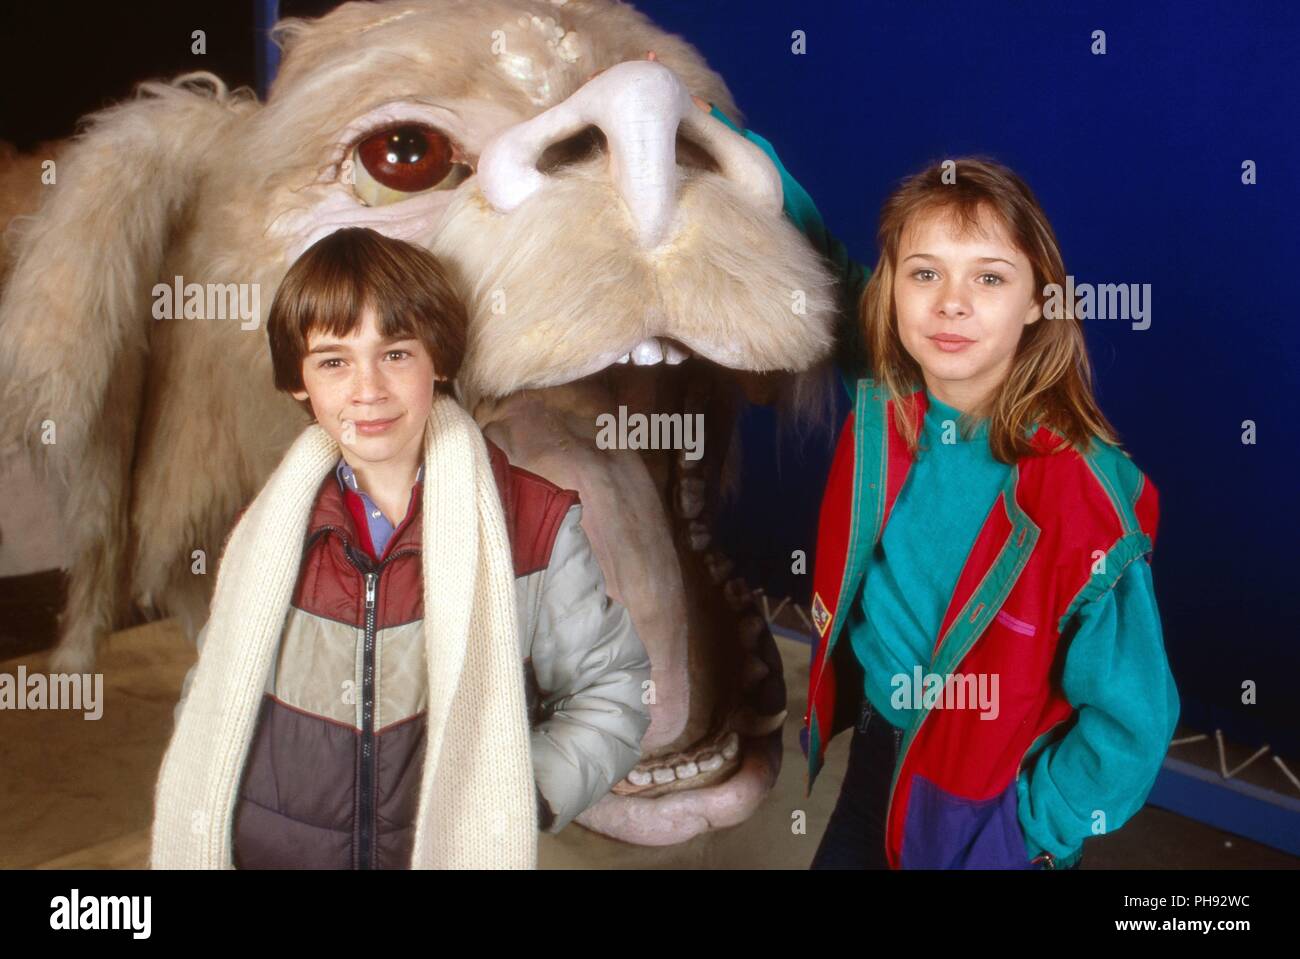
point(963, 303)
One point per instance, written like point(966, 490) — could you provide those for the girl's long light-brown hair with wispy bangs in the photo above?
point(1051, 380)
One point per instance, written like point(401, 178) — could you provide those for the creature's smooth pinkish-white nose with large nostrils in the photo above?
point(639, 107)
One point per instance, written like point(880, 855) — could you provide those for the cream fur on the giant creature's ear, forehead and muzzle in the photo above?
point(167, 428)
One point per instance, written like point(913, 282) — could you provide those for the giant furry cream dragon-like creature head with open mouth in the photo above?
point(617, 246)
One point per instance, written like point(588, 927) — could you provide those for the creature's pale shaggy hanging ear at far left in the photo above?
point(76, 302)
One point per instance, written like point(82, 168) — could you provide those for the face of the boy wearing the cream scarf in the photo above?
point(370, 394)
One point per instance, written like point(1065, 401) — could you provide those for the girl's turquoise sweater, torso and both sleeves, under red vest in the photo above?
point(1116, 672)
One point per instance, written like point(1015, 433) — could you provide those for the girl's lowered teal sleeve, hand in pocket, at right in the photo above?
point(1117, 676)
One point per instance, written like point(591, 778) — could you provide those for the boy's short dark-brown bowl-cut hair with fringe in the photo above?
point(330, 287)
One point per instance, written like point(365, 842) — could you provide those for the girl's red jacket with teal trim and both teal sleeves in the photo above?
point(1061, 535)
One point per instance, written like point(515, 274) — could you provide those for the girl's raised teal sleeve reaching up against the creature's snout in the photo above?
point(851, 349)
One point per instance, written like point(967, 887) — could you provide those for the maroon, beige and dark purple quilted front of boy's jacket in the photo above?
point(333, 773)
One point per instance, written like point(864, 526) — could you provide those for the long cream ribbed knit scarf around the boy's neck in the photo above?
point(478, 802)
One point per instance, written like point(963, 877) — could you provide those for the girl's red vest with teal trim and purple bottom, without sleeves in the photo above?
point(1061, 535)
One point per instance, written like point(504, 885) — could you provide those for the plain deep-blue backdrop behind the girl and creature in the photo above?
point(1137, 158)
